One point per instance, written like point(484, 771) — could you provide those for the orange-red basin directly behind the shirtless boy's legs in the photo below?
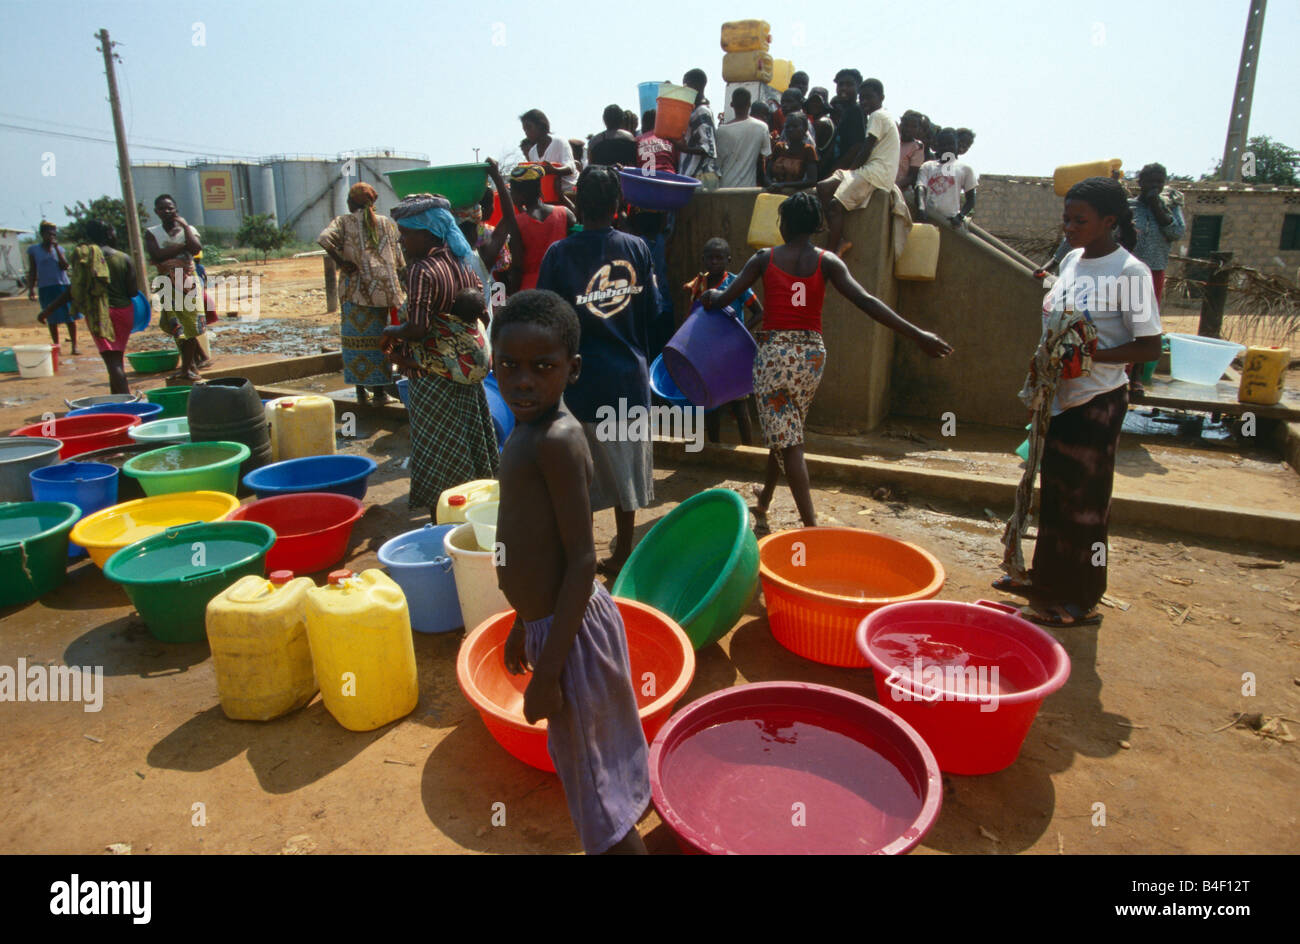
point(656, 646)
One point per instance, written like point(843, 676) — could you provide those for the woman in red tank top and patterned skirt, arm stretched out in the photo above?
point(791, 353)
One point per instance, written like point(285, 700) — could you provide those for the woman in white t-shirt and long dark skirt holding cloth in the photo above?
point(1106, 289)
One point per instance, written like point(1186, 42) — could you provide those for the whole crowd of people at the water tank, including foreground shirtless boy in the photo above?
point(567, 301)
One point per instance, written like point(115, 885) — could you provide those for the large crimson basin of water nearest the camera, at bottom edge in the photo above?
point(781, 768)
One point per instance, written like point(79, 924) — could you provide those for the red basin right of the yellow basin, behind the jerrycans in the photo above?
point(313, 529)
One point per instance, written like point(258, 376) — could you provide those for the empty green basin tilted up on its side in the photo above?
point(699, 566)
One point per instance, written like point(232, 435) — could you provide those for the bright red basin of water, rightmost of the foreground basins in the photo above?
point(968, 677)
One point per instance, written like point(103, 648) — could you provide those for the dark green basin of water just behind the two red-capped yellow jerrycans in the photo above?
point(171, 577)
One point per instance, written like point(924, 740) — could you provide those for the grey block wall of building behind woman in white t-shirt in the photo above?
point(1026, 207)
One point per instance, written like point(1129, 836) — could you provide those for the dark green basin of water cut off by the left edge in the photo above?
point(33, 549)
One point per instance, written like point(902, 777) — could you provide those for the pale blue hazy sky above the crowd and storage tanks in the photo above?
point(1043, 84)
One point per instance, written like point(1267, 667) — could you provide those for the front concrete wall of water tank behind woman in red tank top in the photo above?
point(855, 393)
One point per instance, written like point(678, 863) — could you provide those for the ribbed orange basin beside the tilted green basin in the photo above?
point(820, 583)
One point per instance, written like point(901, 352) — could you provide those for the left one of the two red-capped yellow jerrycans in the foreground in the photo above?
point(259, 647)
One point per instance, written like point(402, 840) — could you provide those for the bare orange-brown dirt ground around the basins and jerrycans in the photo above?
point(1145, 726)
